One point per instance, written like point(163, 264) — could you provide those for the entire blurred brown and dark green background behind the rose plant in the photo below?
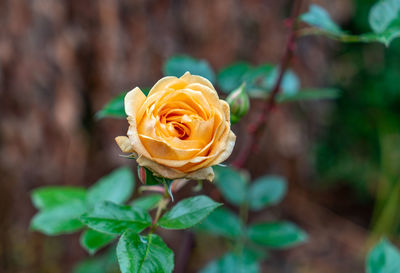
point(61, 61)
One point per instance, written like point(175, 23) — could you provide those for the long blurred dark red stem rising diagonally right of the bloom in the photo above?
point(255, 130)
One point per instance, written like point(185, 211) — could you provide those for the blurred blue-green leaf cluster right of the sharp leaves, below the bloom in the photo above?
point(260, 194)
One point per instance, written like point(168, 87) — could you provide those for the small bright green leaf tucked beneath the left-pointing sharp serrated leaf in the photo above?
point(92, 240)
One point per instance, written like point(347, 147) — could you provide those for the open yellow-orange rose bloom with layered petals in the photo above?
point(180, 129)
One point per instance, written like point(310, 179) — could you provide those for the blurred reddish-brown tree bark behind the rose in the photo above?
point(61, 61)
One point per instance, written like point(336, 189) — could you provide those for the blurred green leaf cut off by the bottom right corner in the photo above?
point(383, 258)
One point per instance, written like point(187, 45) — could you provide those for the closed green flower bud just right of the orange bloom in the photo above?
point(239, 103)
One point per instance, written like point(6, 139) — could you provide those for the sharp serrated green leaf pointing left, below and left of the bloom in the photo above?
point(112, 218)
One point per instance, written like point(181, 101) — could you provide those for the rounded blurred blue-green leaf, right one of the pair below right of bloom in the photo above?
point(266, 191)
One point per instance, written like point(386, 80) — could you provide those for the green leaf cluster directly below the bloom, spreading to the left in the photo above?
point(101, 209)
